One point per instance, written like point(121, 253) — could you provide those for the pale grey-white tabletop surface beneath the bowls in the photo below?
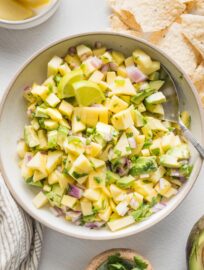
point(164, 244)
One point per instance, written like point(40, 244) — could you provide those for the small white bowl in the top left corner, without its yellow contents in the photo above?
point(42, 14)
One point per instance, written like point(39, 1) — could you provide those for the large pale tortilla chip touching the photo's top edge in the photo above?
point(151, 15)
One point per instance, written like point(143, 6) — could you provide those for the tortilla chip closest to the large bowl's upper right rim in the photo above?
point(179, 48)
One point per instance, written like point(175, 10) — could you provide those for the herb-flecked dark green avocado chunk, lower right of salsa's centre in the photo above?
point(144, 165)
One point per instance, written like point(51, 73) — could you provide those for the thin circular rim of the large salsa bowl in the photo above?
point(121, 233)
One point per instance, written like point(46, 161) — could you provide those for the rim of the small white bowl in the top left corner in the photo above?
point(31, 19)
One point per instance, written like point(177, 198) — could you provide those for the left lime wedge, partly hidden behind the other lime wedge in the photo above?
point(65, 87)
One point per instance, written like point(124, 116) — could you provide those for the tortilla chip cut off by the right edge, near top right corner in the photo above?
point(193, 29)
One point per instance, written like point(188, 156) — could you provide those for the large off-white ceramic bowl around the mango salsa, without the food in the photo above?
point(13, 119)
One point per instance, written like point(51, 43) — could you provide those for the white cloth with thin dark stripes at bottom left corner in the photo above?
point(20, 235)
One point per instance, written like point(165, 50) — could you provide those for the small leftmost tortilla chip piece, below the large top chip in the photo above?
point(118, 26)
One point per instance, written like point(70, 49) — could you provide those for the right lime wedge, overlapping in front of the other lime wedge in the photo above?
point(88, 93)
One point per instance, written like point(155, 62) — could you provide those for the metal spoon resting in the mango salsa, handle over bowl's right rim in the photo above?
point(172, 109)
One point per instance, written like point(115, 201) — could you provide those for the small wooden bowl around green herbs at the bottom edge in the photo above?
point(99, 262)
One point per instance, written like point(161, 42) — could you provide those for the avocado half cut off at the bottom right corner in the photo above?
point(194, 246)
